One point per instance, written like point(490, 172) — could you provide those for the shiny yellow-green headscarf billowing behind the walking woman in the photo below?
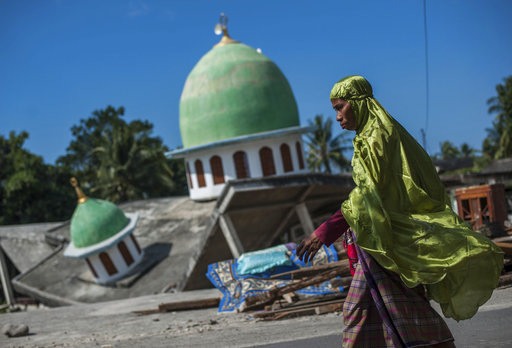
point(401, 214)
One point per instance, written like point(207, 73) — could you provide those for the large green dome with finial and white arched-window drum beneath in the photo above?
point(238, 119)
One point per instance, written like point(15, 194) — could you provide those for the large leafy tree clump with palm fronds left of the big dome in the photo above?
point(121, 161)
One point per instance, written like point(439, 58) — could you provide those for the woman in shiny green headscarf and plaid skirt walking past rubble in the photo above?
point(407, 238)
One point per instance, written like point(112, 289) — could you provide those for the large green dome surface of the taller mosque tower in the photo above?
point(232, 91)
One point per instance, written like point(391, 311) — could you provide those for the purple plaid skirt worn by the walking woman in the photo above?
point(380, 311)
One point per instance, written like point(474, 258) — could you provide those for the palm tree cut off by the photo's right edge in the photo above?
point(498, 143)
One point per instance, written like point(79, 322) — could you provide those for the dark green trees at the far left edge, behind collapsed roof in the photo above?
point(31, 191)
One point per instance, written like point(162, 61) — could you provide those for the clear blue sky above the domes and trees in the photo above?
point(62, 59)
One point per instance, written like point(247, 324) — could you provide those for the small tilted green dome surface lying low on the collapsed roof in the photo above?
point(95, 221)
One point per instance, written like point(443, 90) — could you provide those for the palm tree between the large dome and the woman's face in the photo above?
point(324, 150)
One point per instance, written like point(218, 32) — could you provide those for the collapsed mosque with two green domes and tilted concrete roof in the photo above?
point(249, 188)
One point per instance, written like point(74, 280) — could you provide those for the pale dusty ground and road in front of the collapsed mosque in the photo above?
point(112, 324)
